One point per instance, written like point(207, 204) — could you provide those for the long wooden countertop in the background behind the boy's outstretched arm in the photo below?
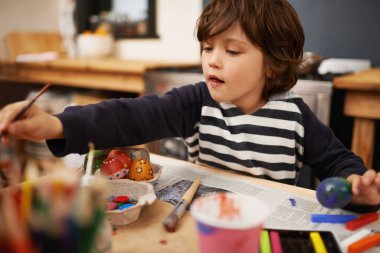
point(103, 74)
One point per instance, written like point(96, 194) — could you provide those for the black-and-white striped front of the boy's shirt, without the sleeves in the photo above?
point(268, 143)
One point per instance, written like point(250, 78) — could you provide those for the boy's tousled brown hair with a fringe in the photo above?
point(271, 25)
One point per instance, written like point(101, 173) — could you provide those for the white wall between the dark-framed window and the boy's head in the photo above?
point(176, 22)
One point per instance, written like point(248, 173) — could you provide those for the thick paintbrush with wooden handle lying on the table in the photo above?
point(170, 222)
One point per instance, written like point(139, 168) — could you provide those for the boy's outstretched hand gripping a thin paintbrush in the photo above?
point(35, 124)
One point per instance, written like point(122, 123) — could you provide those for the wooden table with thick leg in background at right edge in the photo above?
point(362, 101)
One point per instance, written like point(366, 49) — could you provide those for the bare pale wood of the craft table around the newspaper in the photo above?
point(147, 234)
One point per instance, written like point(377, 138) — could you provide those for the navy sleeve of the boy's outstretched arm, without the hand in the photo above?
point(128, 121)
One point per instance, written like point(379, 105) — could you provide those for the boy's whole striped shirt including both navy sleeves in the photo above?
point(274, 142)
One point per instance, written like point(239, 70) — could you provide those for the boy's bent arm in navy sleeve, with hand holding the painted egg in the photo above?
point(329, 158)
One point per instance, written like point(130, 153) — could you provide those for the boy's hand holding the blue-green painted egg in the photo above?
point(365, 188)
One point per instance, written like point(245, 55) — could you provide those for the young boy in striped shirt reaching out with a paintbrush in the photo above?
point(241, 118)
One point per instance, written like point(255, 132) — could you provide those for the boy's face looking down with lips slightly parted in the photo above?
point(234, 69)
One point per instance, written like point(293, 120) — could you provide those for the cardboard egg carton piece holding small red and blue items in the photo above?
point(141, 191)
